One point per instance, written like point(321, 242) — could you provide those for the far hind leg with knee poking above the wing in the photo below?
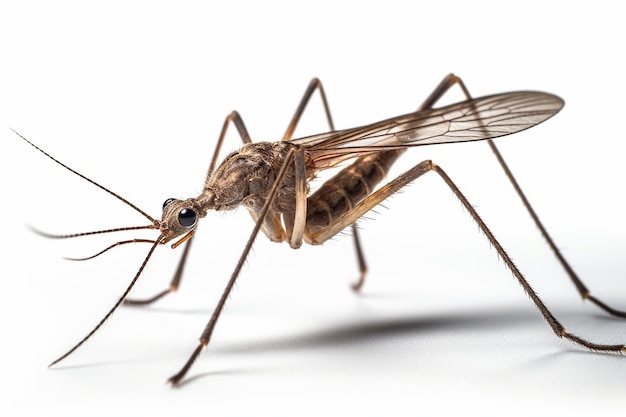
point(446, 84)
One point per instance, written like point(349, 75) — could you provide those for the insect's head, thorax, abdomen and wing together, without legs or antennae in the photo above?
point(246, 177)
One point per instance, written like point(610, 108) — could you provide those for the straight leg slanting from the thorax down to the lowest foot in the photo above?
point(205, 337)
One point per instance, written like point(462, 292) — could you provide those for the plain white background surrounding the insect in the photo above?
point(133, 94)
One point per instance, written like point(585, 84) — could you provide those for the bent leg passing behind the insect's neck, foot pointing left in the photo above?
point(236, 119)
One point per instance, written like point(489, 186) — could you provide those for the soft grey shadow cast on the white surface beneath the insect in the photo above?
point(373, 333)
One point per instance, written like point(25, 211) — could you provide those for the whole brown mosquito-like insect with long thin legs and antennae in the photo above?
point(271, 179)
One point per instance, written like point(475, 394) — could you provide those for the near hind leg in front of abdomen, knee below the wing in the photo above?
point(393, 186)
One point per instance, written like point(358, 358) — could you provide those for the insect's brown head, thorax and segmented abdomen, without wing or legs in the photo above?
point(246, 177)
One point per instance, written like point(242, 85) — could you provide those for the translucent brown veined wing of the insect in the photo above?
point(477, 119)
